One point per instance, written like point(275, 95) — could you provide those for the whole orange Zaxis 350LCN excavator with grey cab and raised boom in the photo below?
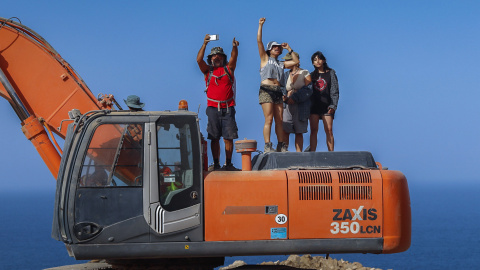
point(135, 186)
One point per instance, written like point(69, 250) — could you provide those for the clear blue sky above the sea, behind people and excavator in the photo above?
point(408, 72)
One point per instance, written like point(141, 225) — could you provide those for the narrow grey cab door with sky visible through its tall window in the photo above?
point(175, 194)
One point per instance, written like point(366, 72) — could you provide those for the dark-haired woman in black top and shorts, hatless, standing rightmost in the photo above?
point(324, 100)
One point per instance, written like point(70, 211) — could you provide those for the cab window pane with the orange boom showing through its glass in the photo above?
point(114, 157)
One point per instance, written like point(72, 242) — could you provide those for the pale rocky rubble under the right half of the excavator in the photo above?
point(302, 262)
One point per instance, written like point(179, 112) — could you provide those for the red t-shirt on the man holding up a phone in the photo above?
point(223, 91)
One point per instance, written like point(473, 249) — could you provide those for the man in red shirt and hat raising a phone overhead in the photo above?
point(219, 78)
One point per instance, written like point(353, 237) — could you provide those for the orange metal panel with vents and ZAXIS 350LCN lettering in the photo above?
point(335, 204)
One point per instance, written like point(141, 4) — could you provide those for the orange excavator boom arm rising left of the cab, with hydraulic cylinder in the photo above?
point(41, 87)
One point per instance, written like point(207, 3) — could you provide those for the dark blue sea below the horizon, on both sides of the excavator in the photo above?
point(445, 231)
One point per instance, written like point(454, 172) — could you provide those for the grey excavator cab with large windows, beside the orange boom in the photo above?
point(129, 178)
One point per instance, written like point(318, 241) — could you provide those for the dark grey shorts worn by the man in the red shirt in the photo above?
point(221, 123)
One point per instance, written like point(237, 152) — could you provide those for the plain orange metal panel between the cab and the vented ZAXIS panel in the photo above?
point(235, 205)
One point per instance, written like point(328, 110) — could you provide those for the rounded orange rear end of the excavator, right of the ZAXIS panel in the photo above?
point(397, 217)
